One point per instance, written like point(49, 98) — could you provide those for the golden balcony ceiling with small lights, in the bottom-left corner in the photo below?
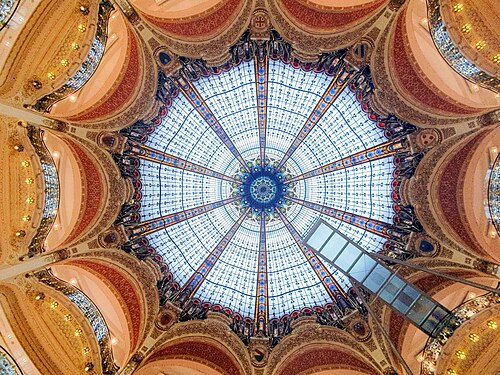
point(45, 334)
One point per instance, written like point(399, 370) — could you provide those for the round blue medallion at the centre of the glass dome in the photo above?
point(263, 188)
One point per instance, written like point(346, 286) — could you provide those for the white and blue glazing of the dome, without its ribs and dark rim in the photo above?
point(363, 189)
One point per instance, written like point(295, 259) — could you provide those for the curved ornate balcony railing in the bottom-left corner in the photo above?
point(91, 312)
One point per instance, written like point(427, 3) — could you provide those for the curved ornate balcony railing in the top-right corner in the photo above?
point(452, 54)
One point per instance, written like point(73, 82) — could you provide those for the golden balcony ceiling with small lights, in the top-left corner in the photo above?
point(50, 28)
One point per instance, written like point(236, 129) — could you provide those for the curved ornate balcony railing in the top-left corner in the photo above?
point(89, 65)
